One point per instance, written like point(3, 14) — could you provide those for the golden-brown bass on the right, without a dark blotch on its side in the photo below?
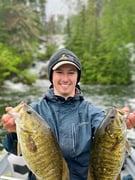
point(109, 147)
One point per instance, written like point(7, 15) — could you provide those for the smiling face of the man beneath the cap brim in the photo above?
point(64, 80)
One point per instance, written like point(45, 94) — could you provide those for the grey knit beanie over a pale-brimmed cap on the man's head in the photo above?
point(63, 56)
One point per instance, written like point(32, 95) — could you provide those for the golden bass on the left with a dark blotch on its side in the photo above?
point(38, 144)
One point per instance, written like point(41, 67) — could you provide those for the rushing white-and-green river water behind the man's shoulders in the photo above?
point(103, 96)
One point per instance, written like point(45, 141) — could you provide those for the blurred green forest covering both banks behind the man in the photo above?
point(101, 33)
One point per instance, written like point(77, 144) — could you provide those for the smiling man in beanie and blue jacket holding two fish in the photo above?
point(73, 120)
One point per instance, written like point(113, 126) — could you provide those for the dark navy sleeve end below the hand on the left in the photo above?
point(10, 143)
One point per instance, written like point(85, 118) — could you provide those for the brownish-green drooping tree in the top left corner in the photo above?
point(20, 26)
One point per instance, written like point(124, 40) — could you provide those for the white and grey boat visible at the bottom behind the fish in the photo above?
point(13, 167)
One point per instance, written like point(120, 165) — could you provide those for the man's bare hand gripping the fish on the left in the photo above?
point(8, 121)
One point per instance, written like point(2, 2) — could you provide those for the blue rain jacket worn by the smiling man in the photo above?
point(74, 122)
